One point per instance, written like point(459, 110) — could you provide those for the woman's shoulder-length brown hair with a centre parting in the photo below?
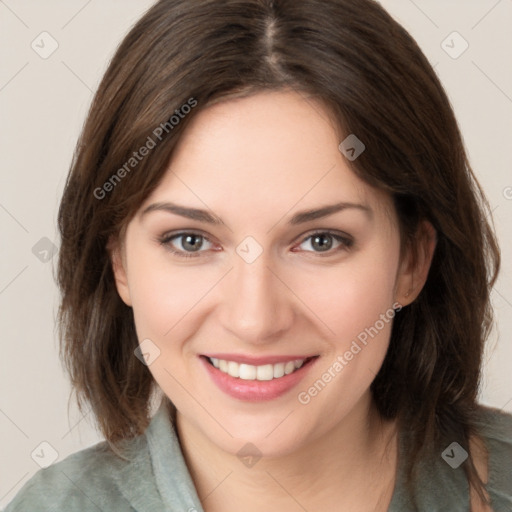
point(370, 73)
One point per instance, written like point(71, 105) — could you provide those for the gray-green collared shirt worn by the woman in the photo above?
point(156, 478)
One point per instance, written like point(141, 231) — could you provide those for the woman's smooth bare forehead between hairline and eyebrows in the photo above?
point(263, 154)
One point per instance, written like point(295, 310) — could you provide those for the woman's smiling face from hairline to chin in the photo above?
point(260, 248)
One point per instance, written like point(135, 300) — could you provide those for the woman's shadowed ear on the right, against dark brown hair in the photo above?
point(415, 265)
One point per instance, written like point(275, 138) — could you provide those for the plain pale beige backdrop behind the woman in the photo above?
point(43, 103)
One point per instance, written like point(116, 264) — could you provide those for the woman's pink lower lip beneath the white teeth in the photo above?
point(256, 390)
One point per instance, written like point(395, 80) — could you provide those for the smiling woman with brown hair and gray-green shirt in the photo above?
point(269, 224)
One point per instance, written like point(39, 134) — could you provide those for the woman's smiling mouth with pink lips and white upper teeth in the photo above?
point(265, 379)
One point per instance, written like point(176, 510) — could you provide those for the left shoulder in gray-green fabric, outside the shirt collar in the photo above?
point(88, 480)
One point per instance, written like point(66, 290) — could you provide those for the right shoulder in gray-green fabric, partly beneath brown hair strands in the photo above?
point(441, 482)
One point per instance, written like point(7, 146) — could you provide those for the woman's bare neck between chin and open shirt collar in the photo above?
point(351, 467)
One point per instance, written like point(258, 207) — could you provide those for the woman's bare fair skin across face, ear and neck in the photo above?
point(255, 162)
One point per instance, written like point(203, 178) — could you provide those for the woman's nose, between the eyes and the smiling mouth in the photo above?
point(257, 306)
